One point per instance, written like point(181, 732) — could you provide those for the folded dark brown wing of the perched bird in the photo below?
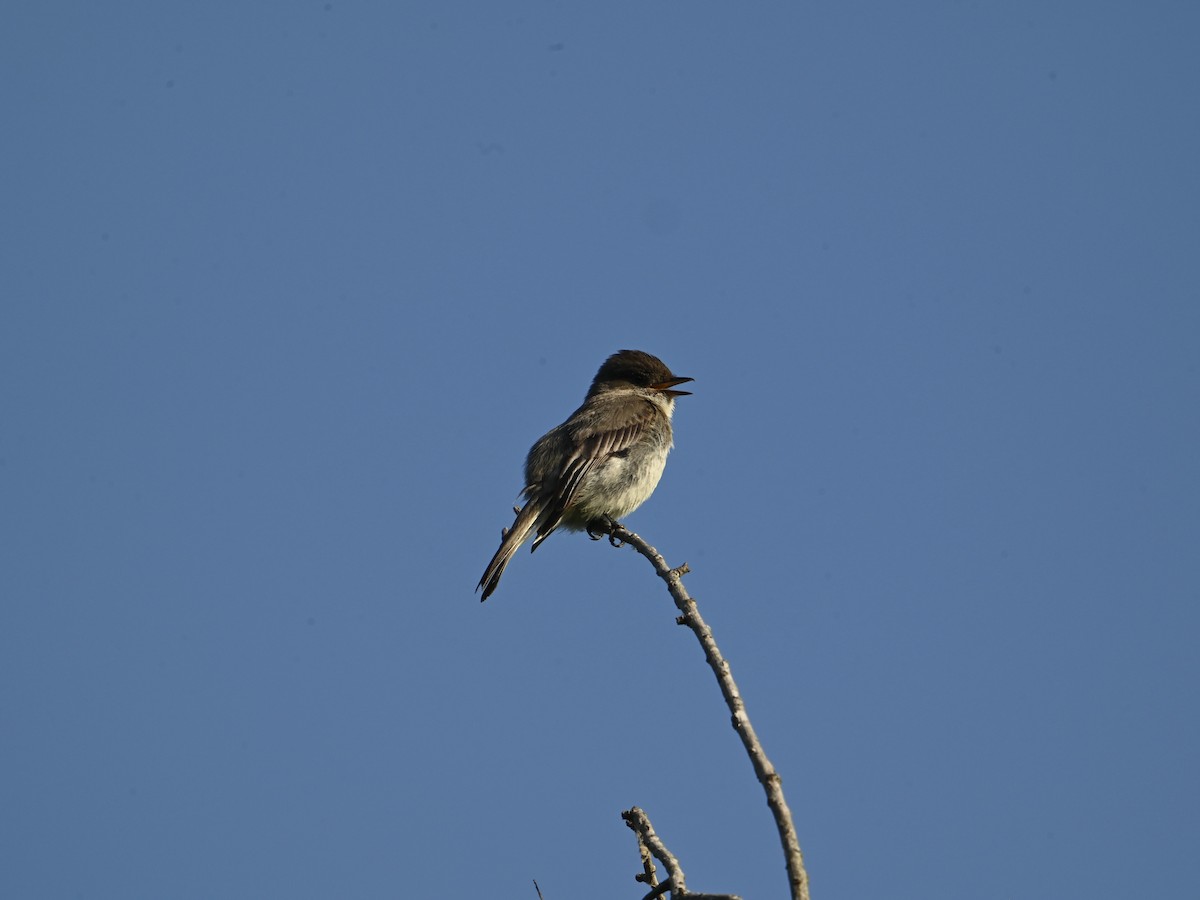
point(595, 440)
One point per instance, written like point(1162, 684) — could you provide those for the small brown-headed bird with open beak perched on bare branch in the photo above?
point(602, 464)
